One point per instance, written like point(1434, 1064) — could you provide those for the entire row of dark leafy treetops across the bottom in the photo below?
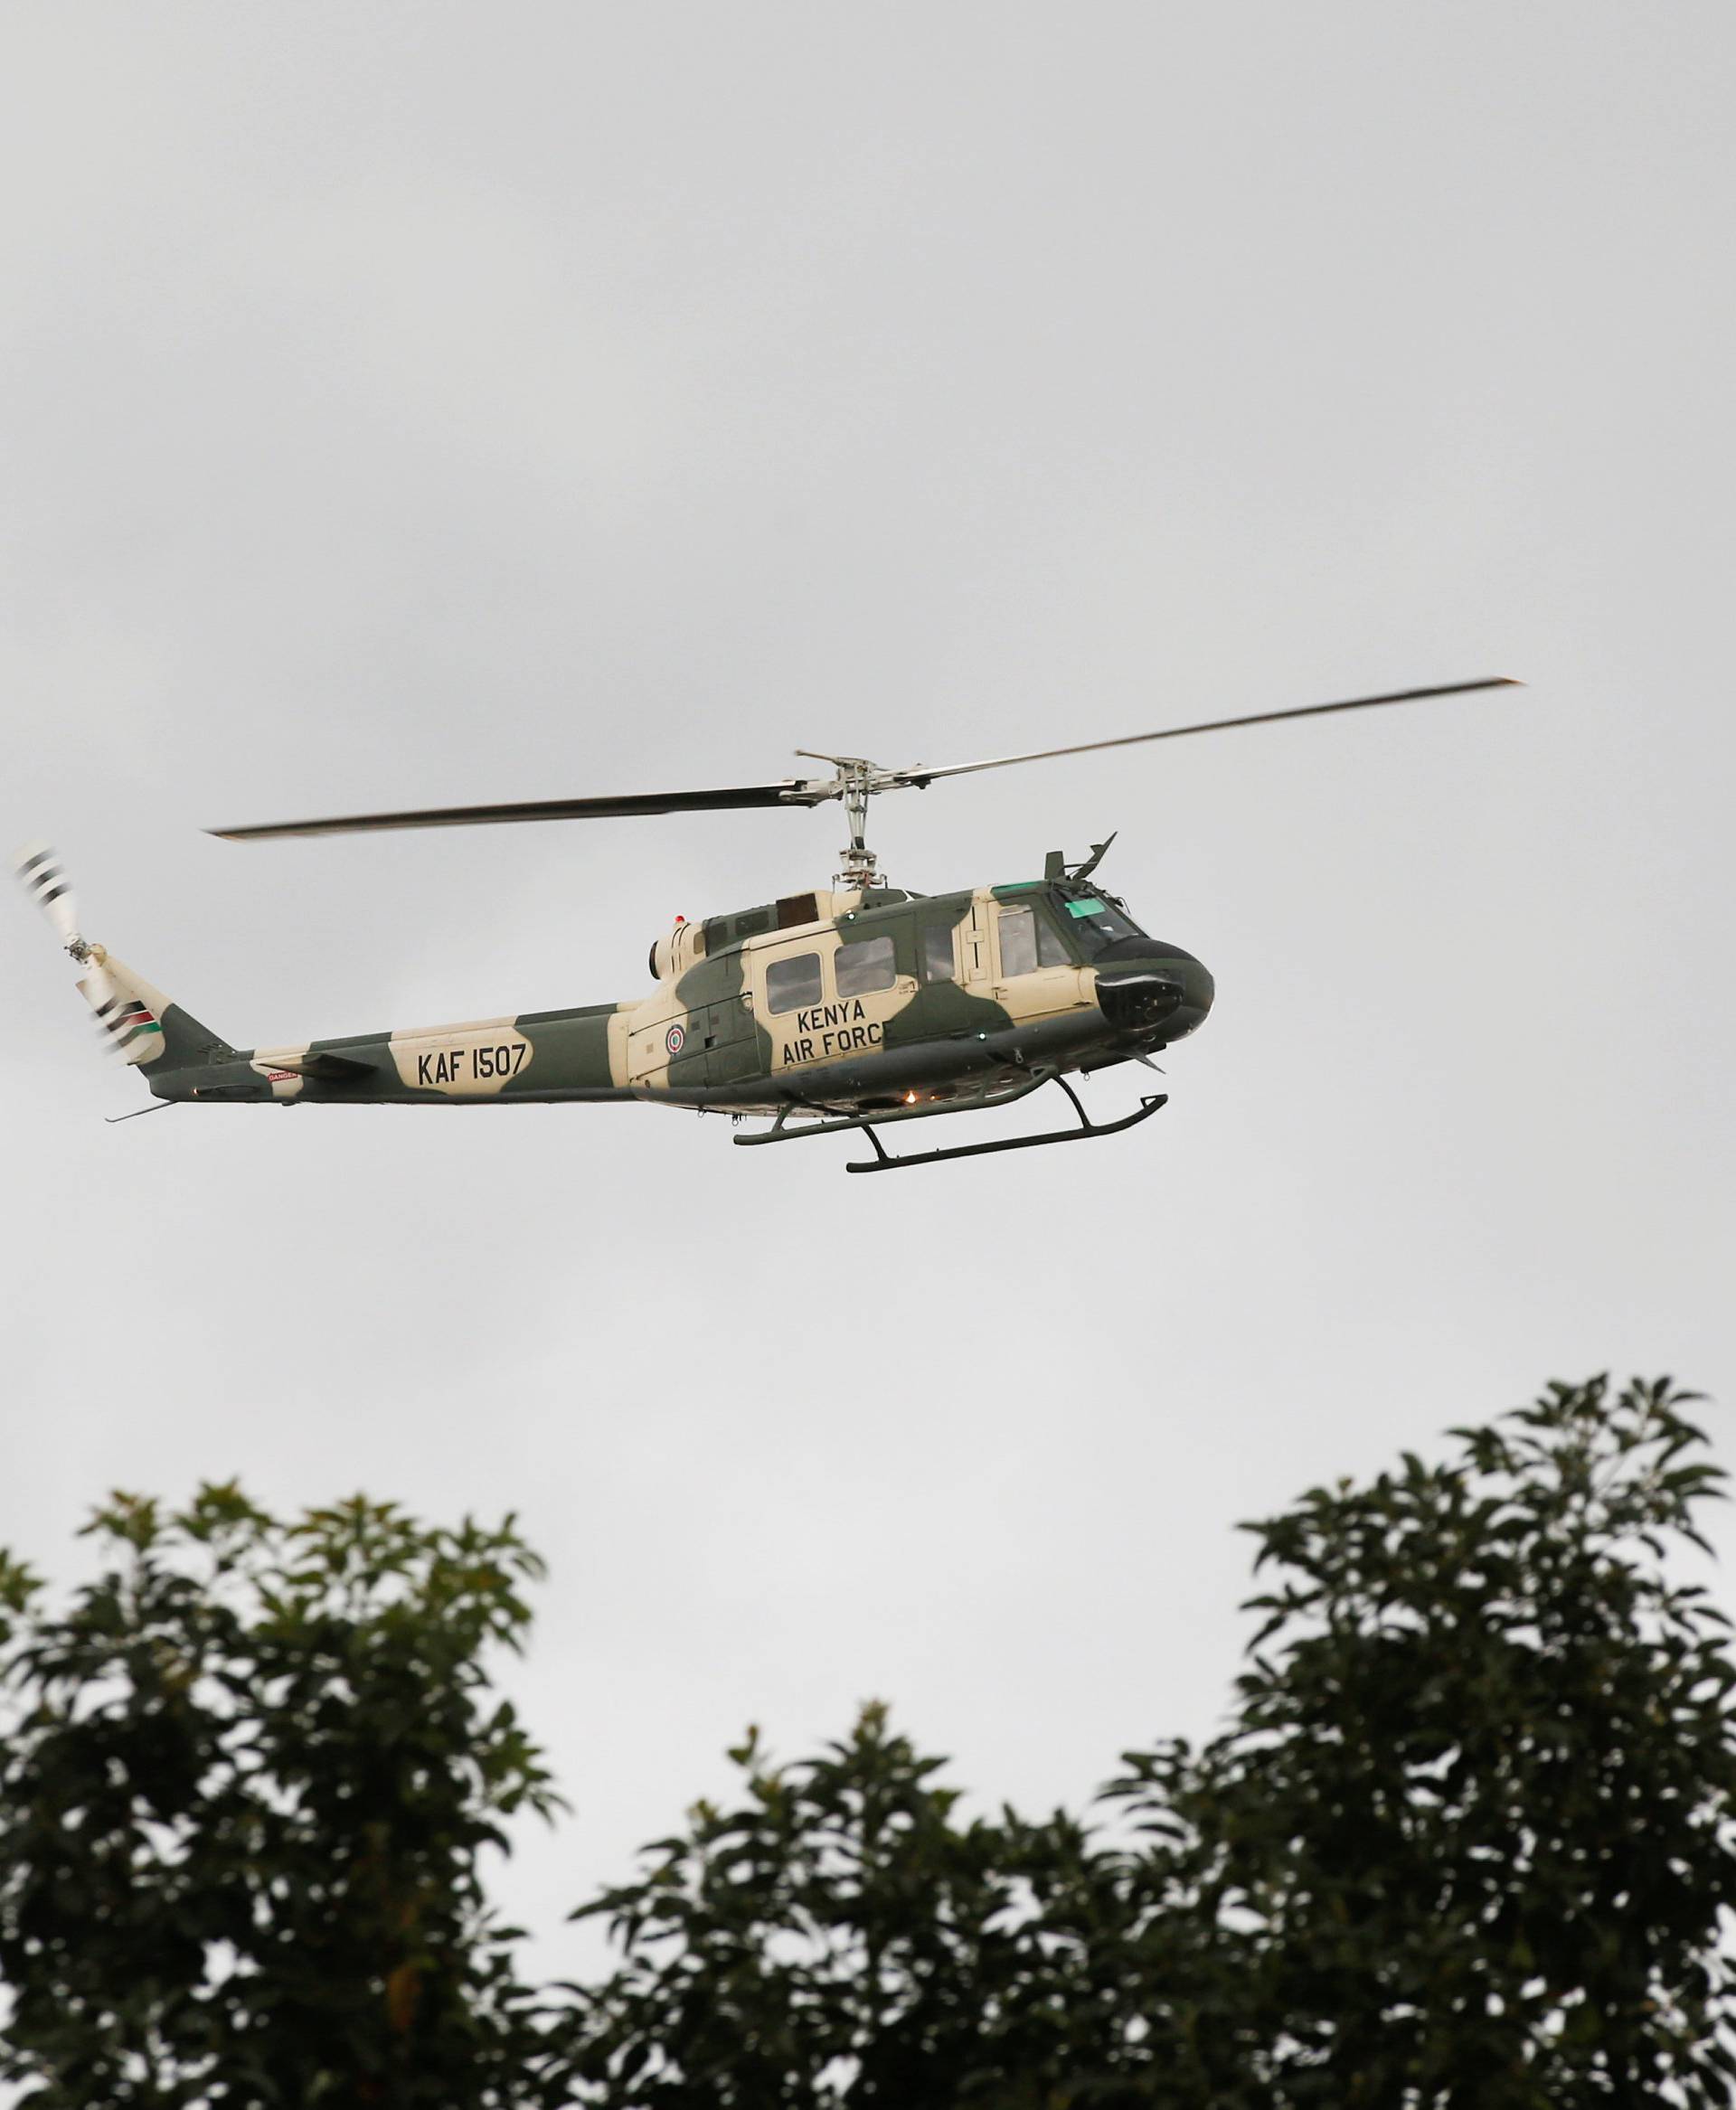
point(1465, 1841)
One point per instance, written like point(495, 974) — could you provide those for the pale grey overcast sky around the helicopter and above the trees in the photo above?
point(431, 404)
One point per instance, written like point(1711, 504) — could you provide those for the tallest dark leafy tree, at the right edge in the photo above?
point(1471, 1830)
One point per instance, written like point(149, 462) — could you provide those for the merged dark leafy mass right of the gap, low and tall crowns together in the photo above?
point(1467, 1843)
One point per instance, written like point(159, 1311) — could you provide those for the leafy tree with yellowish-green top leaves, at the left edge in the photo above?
point(246, 1784)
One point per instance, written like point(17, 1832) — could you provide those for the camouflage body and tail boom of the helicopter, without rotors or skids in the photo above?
point(826, 1001)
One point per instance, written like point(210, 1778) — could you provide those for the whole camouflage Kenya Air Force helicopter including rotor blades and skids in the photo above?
point(845, 1010)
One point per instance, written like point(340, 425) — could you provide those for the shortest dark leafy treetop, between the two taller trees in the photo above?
point(843, 1921)
